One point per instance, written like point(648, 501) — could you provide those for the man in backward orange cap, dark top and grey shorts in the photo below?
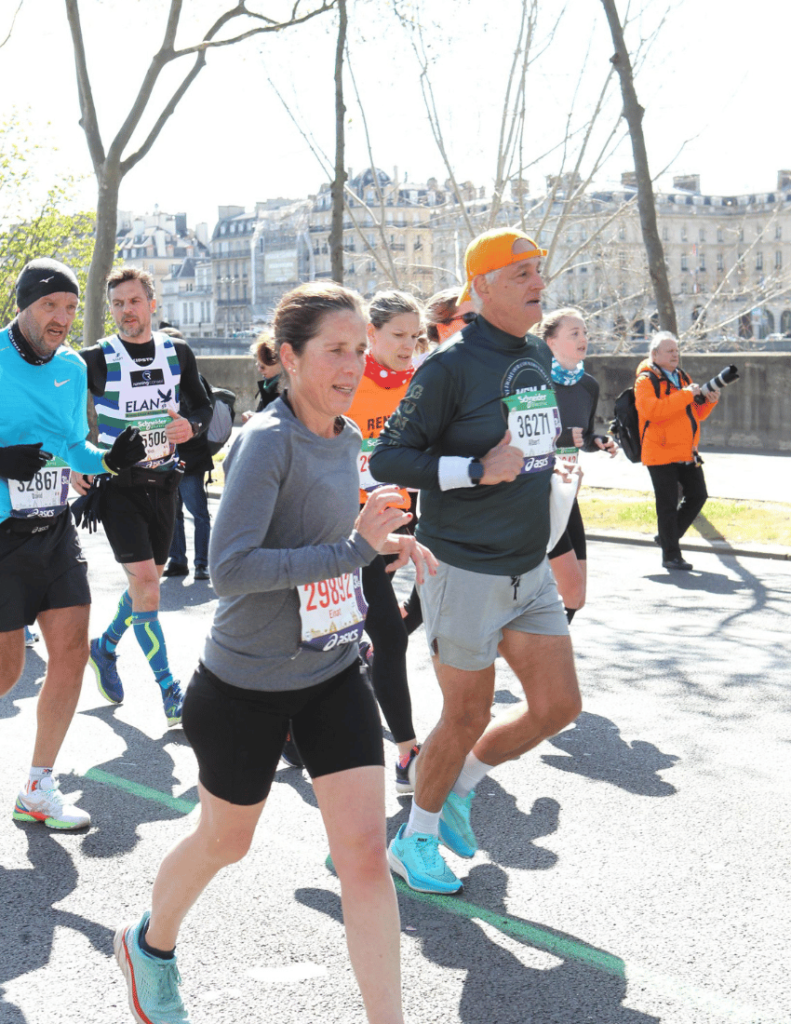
point(477, 433)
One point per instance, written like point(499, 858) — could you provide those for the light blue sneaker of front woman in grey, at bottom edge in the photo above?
point(152, 985)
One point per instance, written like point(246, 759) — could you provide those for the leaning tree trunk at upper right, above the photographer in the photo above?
point(634, 114)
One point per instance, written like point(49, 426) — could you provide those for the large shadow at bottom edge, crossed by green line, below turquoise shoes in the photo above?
point(518, 972)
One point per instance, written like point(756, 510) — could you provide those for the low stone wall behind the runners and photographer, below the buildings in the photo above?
point(754, 412)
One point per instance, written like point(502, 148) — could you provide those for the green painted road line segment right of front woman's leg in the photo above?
point(515, 928)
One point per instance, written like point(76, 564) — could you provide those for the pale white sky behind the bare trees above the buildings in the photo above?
point(713, 78)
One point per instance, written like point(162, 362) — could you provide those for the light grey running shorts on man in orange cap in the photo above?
point(466, 613)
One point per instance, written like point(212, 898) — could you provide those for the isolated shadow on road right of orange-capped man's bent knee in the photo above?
point(598, 752)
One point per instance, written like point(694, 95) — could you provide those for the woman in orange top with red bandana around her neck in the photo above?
point(393, 333)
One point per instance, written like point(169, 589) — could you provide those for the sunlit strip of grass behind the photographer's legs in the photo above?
point(722, 520)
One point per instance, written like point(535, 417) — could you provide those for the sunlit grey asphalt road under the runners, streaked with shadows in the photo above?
point(633, 871)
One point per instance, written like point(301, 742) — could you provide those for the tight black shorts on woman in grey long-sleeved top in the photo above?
point(238, 735)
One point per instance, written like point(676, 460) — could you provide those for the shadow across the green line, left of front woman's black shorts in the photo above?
point(143, 794)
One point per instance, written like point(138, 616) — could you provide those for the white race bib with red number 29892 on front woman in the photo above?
point(332, 613)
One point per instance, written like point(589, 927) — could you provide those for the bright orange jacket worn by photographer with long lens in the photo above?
point(670, 420)
